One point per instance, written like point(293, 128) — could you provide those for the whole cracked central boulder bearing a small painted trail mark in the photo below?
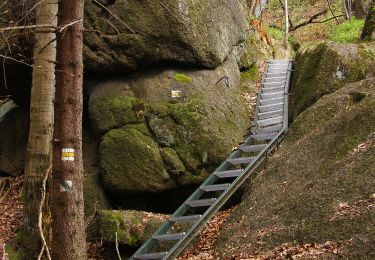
point(151, 141)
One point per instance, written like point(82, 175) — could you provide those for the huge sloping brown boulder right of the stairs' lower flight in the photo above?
point(317, 187)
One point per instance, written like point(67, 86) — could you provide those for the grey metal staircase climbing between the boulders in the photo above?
point(269, 127)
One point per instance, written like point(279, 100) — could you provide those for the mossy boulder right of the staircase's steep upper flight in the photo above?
point(322, 68)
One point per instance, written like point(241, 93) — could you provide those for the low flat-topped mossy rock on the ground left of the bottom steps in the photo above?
point(132, 227)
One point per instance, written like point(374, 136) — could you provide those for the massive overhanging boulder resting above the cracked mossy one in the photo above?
point(200, 33)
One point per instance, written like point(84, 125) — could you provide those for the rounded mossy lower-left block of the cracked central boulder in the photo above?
point(131, 162)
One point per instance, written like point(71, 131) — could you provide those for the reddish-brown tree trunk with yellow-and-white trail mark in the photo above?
point(68, 226)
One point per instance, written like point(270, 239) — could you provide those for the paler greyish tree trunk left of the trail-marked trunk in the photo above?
point(39, 148)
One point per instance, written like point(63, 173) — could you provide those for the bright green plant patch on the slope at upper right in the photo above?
point(347, 32)
